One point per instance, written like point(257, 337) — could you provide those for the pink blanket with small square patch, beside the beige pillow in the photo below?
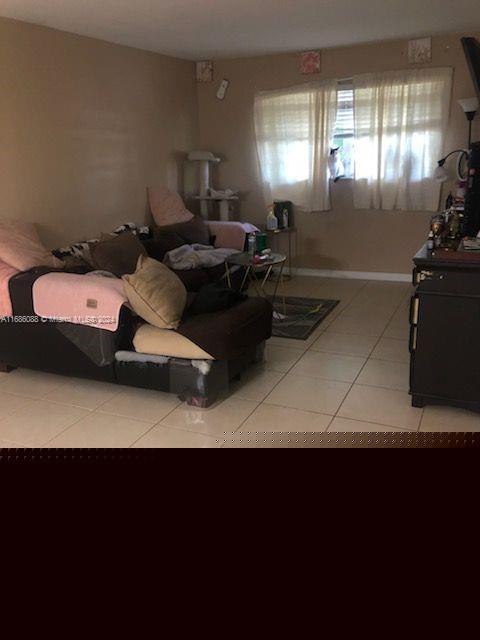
point(81, 299)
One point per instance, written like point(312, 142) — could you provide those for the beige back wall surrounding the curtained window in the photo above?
point(343, 238)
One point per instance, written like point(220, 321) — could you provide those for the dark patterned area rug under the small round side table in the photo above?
point(297, 318)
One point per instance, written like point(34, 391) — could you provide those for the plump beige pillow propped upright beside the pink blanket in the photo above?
point(156, 294)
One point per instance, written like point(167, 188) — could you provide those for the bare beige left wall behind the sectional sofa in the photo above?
point(85, 126)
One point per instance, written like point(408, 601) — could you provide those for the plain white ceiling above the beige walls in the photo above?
point(198, 29)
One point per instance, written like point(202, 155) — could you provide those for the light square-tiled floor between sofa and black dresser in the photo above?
point(350, 375)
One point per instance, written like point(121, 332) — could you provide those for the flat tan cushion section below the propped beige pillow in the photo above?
point(163, 342)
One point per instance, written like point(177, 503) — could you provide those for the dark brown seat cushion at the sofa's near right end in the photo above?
point(226, 335)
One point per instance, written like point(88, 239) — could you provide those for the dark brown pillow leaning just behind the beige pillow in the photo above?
point(117, 254)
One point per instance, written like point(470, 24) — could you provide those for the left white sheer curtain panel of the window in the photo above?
point(294, 128)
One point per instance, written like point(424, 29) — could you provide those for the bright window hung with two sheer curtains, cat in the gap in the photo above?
point(389, 128)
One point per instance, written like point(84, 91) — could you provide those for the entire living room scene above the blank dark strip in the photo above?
point(240, 191)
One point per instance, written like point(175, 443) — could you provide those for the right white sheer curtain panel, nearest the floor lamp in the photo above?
point(400, 123)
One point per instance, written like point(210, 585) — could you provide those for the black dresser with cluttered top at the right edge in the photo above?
point(445, 329)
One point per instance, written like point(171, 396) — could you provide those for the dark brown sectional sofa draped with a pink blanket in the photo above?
point(235, 337)
